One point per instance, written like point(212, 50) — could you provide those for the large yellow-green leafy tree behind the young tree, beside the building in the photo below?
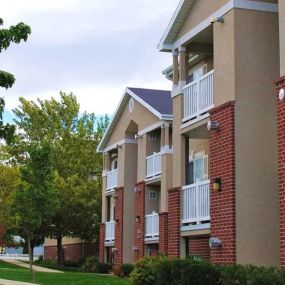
point(75, 138)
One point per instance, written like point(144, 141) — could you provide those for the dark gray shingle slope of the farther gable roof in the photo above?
point(160, 100)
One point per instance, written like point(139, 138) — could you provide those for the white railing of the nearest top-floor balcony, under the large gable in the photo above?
point(198, 96)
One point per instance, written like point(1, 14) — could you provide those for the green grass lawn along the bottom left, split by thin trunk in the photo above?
point(12, 272)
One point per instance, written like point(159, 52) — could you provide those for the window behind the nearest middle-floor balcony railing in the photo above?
point(197, 169)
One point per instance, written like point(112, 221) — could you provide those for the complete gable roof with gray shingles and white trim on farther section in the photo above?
point(158, 102)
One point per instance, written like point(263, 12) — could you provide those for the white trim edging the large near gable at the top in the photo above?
point(241, 4)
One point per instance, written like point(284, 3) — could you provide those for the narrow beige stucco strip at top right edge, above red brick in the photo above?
point(282, 36)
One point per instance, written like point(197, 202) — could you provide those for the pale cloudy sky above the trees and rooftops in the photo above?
point(93, 48)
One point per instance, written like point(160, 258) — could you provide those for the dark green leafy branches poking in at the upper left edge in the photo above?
point(15, 34)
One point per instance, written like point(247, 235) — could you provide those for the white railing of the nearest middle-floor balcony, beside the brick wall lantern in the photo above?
point(196, 202)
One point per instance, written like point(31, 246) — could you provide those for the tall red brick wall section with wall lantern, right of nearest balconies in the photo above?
point(222, 164)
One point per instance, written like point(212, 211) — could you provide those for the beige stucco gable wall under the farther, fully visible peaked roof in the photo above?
point(141, 116)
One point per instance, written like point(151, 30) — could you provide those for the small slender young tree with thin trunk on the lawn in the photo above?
point(35, 199)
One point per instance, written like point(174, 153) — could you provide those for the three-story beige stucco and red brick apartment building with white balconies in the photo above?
point(218, 193)
